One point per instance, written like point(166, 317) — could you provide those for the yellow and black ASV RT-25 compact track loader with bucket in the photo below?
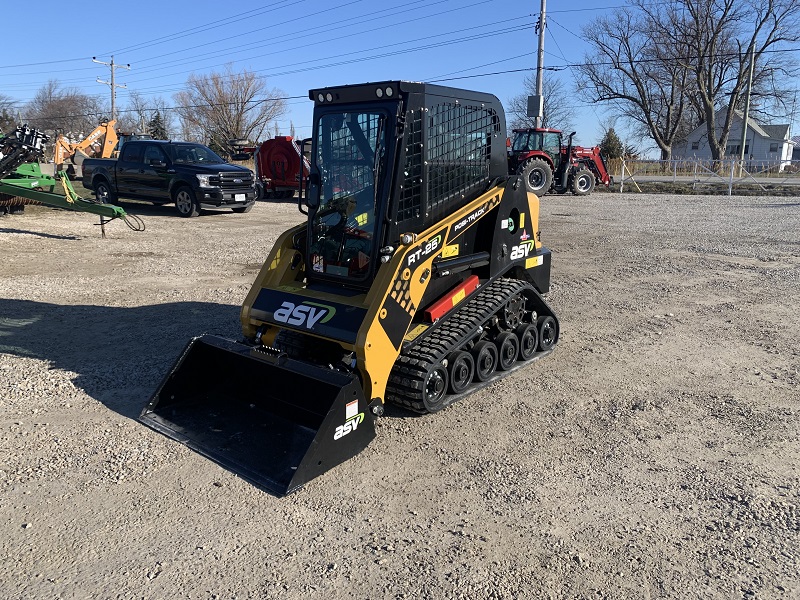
point(417, 279)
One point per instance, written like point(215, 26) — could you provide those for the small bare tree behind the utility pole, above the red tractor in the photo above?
point(559, 110)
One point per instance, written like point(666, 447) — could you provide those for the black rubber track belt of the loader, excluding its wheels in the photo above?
point(407, 378)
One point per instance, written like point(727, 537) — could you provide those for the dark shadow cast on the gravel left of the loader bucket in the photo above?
point(119, 355)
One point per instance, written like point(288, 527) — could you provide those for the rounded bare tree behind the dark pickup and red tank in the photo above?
point(224, 106)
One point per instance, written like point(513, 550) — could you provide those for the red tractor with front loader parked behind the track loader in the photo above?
point(540, 156)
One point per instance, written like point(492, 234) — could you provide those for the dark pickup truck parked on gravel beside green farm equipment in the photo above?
point(188, 174)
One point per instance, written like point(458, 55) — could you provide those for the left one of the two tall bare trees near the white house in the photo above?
point(633, 70)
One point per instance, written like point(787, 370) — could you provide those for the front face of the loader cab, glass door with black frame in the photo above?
point(348, 187)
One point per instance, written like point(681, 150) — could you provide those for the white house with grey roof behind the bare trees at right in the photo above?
point(765, 143)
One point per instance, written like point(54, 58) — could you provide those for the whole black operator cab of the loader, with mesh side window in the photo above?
point(389, 159)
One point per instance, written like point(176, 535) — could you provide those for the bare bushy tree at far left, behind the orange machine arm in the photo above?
point(55, 109)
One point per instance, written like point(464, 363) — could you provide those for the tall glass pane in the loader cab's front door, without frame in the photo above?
point(350, 159)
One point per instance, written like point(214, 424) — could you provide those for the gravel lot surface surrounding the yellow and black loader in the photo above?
point(654, 454)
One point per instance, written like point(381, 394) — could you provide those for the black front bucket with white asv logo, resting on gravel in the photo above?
point(275, 421)
